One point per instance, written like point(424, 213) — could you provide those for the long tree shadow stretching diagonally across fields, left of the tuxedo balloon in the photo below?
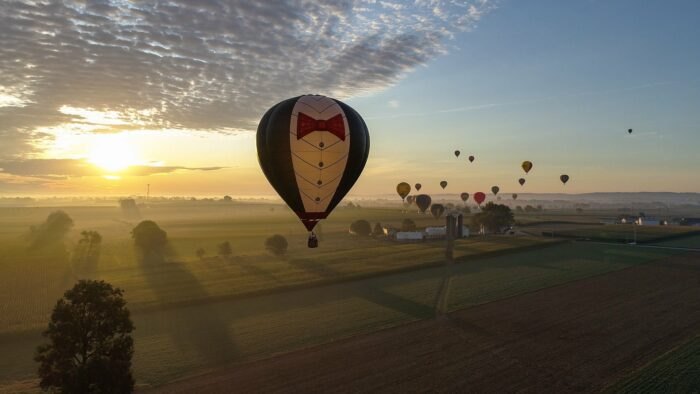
point(202, 328)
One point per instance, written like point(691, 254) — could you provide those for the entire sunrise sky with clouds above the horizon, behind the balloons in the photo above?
point(105, 97)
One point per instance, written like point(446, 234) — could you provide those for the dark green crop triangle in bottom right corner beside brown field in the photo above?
point(676, 372)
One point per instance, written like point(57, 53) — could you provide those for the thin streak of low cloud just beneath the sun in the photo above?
point(62, 169)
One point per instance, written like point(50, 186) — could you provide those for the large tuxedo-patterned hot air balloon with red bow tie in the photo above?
point(312, 149)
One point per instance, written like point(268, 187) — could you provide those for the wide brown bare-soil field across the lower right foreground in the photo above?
point(580, 336)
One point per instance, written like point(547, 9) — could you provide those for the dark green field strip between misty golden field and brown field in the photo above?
point(187, 339)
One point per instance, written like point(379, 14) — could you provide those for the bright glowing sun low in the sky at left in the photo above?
point(113, 153)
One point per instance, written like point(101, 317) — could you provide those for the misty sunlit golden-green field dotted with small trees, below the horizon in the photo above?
point(32, 280)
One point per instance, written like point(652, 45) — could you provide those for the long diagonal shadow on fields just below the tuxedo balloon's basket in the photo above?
point(370, 293)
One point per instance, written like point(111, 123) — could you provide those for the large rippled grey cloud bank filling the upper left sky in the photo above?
point(114, 65)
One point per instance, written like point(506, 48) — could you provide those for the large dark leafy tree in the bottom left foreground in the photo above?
point(90, 345)
